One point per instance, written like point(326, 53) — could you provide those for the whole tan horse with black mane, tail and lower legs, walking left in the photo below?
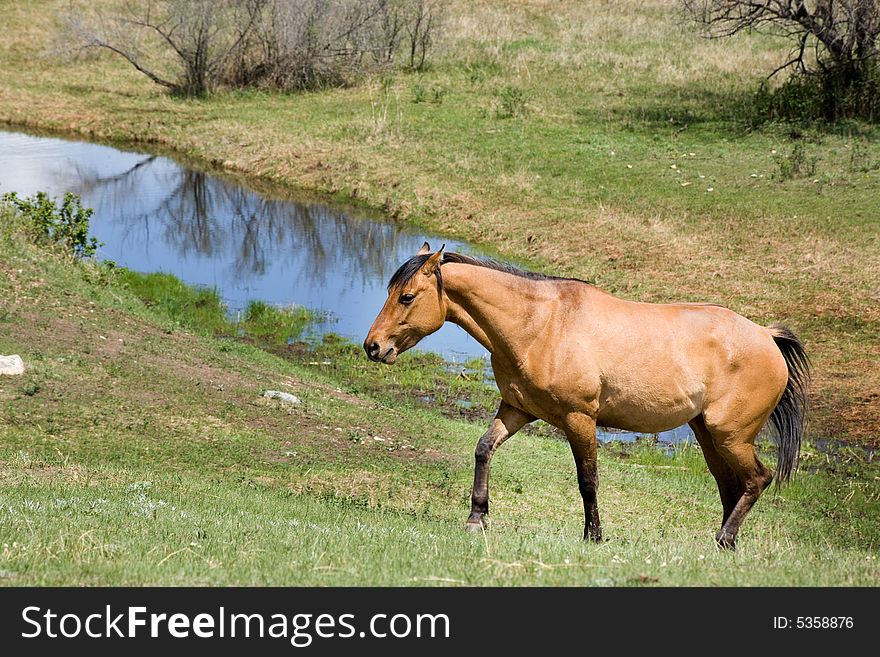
point(576, 357)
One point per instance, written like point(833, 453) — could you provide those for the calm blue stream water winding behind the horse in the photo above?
point(154, 214)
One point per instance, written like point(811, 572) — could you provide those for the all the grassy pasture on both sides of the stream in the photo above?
point(137, 448)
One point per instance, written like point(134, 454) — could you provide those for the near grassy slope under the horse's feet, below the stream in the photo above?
point(137, 451)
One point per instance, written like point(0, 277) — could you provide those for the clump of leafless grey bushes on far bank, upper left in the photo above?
point(193, 46)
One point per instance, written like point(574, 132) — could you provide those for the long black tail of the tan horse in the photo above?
point(790, 413)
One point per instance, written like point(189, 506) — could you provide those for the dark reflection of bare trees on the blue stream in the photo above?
point(206, 215)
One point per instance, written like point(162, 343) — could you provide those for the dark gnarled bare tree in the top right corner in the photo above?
point(834, 40)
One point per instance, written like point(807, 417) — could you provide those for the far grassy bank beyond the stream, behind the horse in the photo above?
point(599, 140)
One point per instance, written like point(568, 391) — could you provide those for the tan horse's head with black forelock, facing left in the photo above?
point(415, 307)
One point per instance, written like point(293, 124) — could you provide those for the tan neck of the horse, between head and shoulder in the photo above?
point(503, 312)
